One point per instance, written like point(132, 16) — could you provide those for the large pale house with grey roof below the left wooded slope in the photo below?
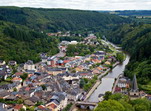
point(29, 66)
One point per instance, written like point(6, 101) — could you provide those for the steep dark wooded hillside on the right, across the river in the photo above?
point(136, 39)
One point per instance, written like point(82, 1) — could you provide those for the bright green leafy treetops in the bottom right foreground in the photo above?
point(119, 102)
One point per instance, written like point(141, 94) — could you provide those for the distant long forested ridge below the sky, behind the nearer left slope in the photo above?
point(58, 19)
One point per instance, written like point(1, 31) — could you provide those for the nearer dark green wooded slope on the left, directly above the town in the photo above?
point(20, 43)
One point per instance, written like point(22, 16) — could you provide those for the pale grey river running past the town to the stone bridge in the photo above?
point(108, 80)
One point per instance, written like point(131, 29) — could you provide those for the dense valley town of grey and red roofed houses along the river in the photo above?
point(60, 80)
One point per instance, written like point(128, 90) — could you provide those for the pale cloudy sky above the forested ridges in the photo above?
point(82, 4)
